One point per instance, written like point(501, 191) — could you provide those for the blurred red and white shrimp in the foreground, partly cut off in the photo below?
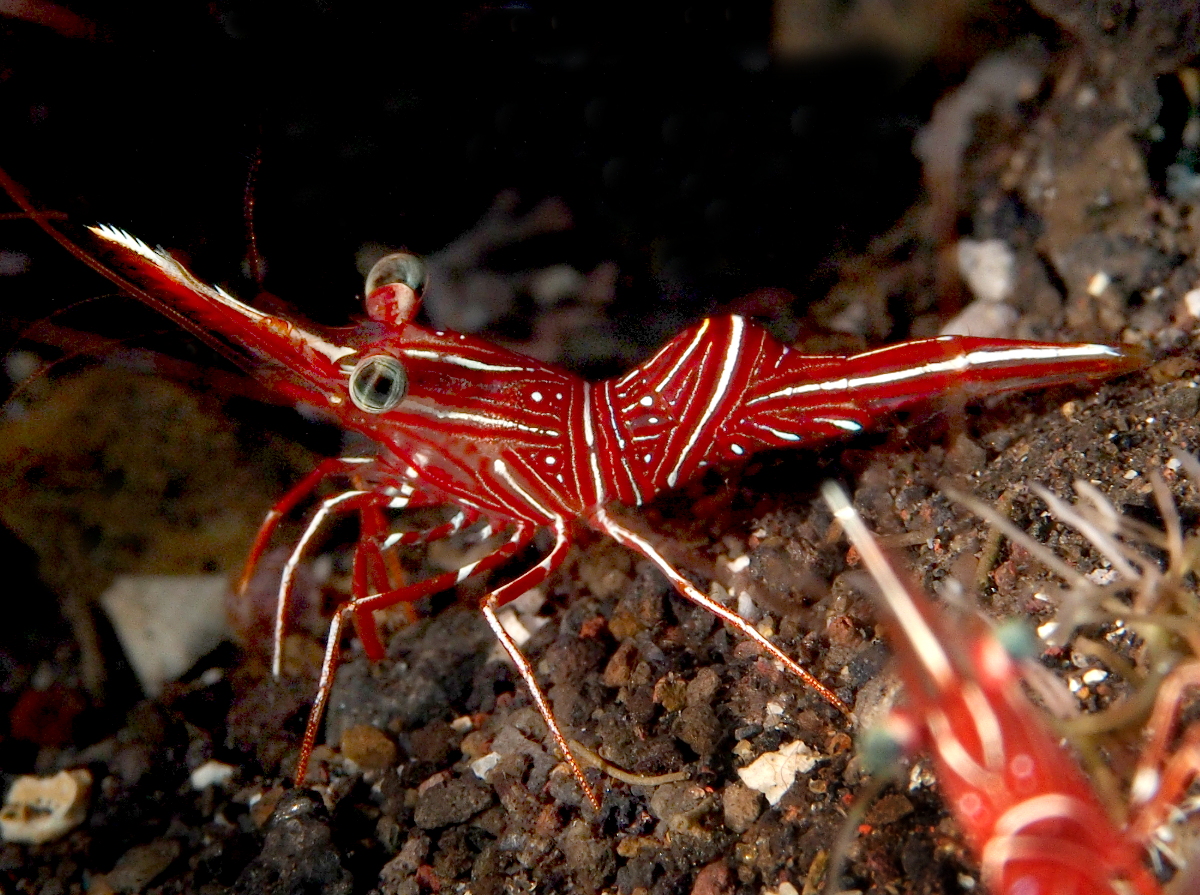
point(1031, 816)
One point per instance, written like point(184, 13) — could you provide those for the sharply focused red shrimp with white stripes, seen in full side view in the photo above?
point(526, 447)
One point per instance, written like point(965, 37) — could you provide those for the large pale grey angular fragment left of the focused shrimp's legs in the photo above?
point(166, 623)
